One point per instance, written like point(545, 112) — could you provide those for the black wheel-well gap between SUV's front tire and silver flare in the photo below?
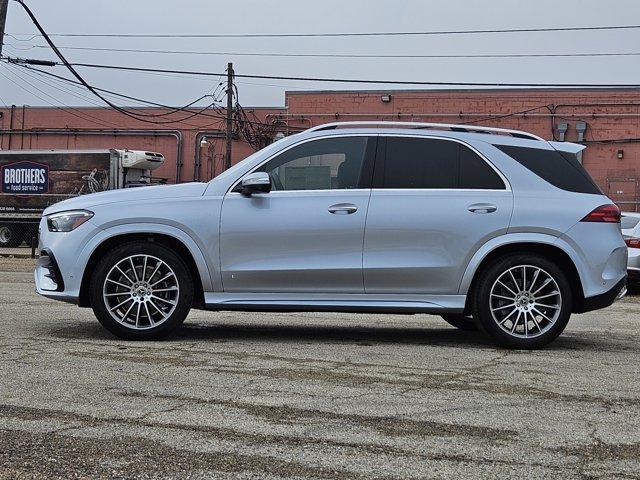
point(176, 245)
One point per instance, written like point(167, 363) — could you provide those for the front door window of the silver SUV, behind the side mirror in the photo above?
point(326, 164)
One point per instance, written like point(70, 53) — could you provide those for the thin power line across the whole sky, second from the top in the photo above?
point(337, 55)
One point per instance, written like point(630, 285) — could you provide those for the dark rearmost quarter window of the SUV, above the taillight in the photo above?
point(560, 169)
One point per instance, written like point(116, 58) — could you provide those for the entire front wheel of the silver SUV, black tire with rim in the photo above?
point(129, 304)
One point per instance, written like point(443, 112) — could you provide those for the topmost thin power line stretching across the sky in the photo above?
point(333, 34)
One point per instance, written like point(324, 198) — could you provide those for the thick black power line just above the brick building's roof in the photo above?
point(361, 81)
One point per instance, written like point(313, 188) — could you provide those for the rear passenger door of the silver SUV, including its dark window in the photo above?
point(434, 202)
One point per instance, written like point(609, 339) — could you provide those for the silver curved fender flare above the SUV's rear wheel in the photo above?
point(513, 238)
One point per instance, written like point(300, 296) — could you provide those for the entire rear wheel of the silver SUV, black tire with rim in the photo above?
point(501, 296)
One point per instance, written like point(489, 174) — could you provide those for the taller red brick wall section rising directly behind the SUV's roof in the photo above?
point(617, 119)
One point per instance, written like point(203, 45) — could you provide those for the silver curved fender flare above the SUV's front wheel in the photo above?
point(210, 282)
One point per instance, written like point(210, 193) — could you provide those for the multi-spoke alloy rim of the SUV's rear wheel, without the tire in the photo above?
point(525, 301)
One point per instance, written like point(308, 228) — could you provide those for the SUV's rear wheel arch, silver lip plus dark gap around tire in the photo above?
point(543, 247)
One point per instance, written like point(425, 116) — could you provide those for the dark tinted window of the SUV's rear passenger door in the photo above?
point(431, 163)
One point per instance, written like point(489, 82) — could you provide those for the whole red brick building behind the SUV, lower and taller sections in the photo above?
point(606, 120)
